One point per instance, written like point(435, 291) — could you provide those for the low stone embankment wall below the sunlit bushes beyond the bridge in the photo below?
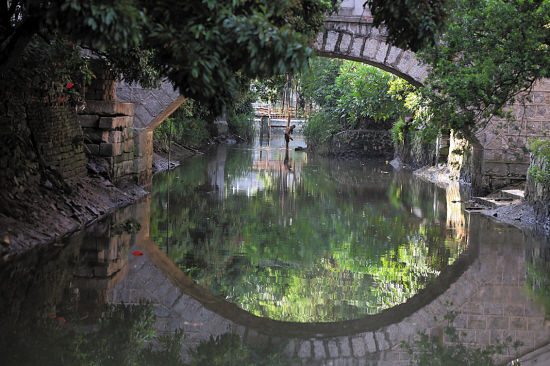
point(359, 144)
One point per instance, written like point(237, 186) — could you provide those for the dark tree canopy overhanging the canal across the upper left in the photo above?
point(200, 45)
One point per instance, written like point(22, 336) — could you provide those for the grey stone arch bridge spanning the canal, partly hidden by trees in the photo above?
point(500, 154)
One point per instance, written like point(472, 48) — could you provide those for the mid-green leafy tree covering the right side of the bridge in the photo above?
point(489, 51)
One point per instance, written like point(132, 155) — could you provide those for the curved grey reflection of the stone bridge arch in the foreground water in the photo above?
point(484, 286)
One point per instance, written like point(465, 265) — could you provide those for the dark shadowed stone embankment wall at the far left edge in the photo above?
point(40, 138)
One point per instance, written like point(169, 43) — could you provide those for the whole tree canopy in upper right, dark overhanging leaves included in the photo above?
point(482, 53)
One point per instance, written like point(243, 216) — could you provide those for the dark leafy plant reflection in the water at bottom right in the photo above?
point(451, 351)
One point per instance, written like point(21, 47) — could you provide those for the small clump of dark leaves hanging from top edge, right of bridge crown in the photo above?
point(411, 23)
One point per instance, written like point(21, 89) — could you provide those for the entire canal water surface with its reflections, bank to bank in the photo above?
point(275, 245)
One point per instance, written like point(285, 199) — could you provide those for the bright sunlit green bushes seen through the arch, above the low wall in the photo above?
point(353, 95)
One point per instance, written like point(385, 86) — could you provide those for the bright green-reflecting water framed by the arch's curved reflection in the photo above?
point(295, 238)
